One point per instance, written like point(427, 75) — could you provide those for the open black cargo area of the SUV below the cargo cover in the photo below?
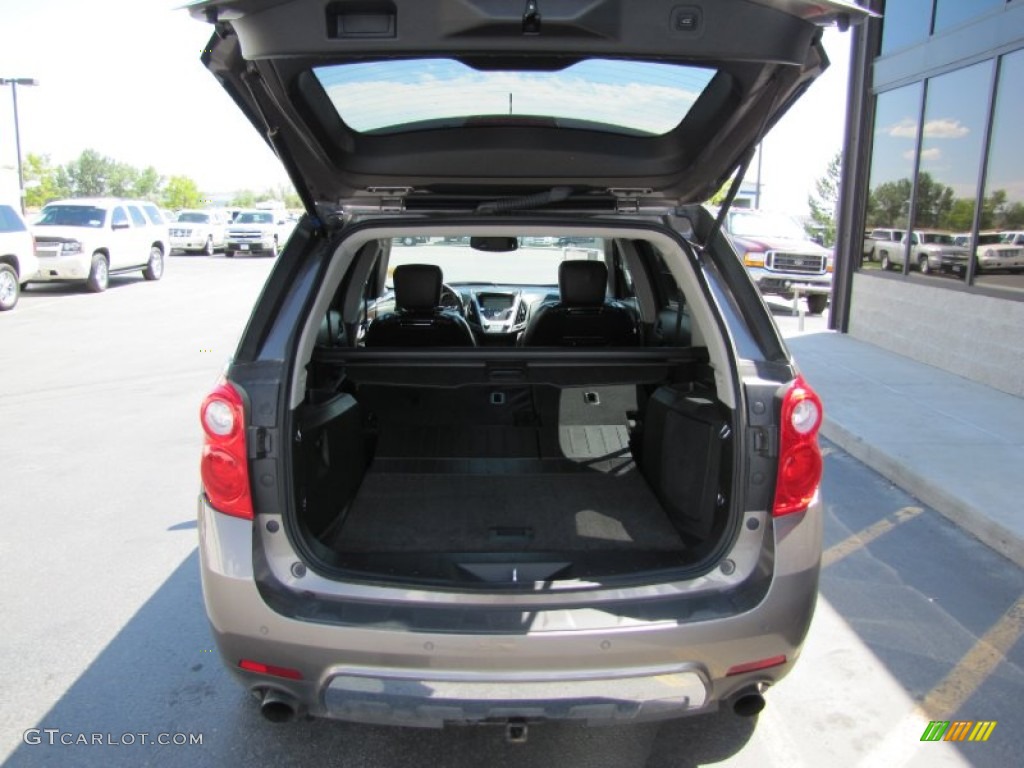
point(489, 485)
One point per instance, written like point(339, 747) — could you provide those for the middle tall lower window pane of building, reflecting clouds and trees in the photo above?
point(951, 162)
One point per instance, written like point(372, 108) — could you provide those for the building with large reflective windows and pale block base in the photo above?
point(935, 147)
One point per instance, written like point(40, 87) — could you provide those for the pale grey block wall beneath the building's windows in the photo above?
point(977, 337)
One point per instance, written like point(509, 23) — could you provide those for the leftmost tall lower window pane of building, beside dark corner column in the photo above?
point(893, 150)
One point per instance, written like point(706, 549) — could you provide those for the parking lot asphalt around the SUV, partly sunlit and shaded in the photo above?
point(106, 633)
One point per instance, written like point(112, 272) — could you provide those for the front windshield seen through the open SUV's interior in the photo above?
point(534, 264)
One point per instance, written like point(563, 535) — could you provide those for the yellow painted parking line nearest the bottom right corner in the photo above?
point(976, 666)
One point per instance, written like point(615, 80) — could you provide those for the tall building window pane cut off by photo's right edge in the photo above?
point(1000, 250)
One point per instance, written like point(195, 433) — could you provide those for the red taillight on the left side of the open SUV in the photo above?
point(225, 465)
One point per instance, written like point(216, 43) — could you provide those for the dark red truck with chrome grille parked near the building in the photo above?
point(780, 257)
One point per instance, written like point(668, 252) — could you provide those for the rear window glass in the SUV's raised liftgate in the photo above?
point(622, 97)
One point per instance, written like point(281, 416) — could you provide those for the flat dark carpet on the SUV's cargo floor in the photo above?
point(548, 511)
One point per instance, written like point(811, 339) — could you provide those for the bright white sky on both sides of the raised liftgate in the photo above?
point(123, 77)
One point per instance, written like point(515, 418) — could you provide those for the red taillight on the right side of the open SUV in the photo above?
point(799, 456)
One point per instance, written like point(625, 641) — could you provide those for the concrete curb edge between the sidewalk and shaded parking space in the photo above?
point(966, 517)
